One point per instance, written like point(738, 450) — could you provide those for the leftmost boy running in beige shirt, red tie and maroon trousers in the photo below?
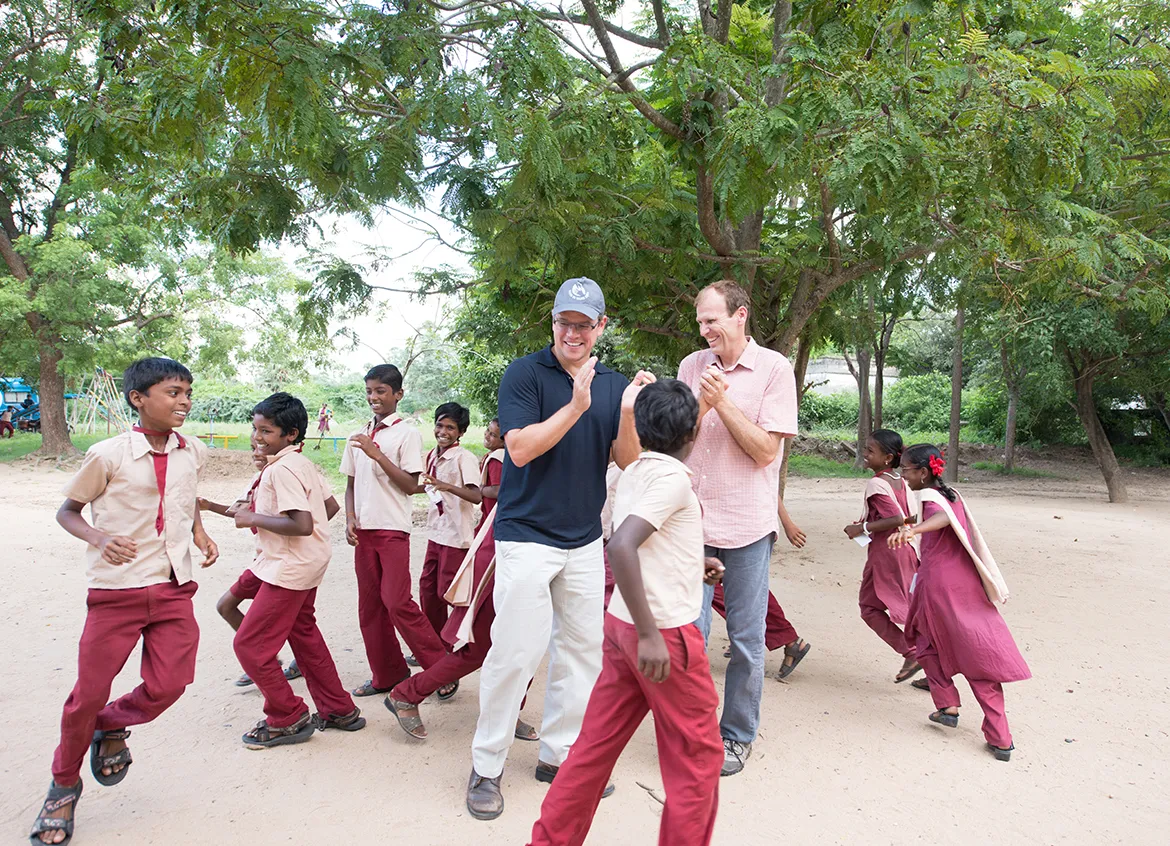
point(141, 489)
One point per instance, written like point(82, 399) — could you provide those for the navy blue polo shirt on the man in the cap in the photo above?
point(556, 499)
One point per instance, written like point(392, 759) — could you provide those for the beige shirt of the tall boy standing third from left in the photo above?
point(378, 504)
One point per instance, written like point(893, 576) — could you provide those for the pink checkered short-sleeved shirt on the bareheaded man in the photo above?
point(740, 498)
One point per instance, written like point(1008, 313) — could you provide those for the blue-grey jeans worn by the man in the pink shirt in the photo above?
point(746, 595)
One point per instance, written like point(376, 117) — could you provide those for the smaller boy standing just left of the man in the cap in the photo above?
point(452, 483)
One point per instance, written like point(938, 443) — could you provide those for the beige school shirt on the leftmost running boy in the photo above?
point(118, 480)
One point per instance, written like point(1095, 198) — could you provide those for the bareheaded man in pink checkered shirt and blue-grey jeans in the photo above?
point(747, 407)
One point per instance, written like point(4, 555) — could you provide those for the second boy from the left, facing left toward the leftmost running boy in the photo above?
point(290, 518)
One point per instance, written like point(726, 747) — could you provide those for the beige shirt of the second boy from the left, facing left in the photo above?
point(292, 483)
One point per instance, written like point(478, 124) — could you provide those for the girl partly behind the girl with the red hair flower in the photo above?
point(885, 596)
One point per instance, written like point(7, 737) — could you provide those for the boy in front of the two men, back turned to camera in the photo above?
point(655, 658)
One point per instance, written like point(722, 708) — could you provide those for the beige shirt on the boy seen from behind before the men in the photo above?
point(657, 489)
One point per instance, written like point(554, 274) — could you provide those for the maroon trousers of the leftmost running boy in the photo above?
point(163, 618)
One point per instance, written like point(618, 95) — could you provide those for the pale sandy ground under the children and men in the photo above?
point(844, 755)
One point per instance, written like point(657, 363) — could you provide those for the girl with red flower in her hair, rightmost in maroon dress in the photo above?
point(954, 623)
